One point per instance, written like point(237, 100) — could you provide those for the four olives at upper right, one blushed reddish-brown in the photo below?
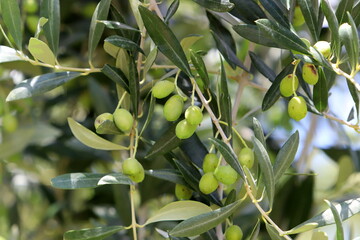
point(297, 108)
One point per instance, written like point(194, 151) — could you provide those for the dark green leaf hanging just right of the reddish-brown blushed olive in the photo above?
point(320, 92)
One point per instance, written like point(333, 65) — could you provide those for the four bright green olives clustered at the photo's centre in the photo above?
point(173, 109)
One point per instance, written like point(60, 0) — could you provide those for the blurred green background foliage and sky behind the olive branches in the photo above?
point(42, 146)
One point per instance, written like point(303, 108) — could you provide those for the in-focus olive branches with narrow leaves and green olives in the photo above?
point(134, 53)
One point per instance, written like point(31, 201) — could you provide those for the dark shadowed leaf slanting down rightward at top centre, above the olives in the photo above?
point(224, 42)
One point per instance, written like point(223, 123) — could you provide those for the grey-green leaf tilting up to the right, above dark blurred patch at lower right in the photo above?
point(286, 156)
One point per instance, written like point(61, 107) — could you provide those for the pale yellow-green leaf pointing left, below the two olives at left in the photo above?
point(90, 139)
